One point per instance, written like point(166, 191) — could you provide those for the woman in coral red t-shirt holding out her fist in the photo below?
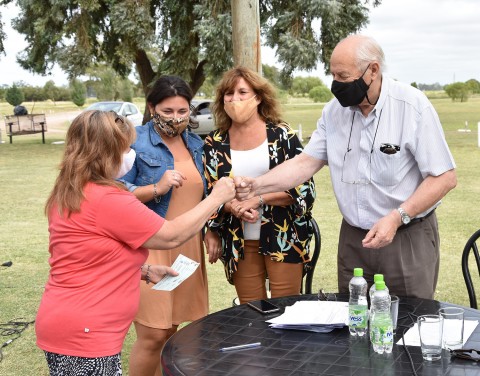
point(99, 235)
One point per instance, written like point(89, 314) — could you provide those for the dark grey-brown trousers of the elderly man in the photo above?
point(409, 264)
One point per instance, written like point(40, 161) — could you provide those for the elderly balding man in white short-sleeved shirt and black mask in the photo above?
point(390, 166)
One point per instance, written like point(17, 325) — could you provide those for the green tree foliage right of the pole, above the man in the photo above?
point(289, 26)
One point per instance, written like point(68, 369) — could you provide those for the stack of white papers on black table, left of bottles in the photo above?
point(314, 316)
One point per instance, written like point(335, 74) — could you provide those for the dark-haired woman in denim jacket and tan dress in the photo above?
point(168, 177)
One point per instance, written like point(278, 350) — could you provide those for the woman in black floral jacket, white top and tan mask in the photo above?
point(267, 234)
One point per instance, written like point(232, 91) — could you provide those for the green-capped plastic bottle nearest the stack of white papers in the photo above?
point(357, 305)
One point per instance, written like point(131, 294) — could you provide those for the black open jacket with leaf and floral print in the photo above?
point(286, 231)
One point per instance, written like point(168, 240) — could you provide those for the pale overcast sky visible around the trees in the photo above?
point(424, 41)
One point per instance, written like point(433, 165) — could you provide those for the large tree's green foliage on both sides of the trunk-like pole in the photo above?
point(190, 38)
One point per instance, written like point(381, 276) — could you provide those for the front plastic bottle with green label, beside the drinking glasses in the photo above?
point(381, 327)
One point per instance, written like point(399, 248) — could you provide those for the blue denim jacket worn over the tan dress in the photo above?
point(154, 158)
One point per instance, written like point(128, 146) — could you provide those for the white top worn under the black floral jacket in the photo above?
point(253, 163)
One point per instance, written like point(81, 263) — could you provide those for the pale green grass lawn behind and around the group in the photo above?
point(28, 170)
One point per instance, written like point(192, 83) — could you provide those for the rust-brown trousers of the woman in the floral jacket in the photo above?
point(285, 279)
